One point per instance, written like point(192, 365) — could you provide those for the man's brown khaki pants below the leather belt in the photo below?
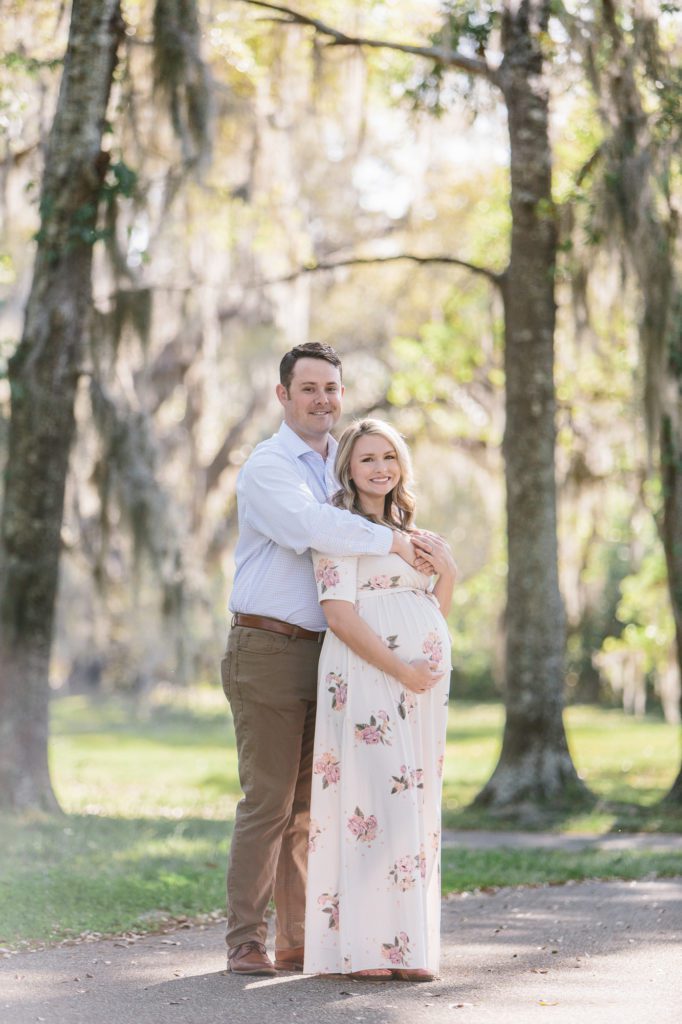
point(271, 681)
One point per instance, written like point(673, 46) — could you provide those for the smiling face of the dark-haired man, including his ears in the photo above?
point(313, 404)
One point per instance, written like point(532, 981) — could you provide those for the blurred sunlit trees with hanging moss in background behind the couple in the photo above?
point(243, 167)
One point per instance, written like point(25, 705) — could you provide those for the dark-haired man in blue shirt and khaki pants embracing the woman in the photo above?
point(270, 671)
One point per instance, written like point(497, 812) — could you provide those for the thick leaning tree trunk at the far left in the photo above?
point(44, 376)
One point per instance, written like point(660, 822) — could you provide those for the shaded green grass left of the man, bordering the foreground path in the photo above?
point(105, 875)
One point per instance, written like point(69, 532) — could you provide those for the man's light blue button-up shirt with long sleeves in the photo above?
point(282, 495)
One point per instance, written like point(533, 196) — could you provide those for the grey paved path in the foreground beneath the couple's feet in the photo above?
point(592, 953)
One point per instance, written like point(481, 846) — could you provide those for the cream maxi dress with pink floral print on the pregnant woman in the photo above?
point(374, 863)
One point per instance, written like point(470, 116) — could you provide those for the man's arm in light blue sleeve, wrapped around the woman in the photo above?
point(279, 503)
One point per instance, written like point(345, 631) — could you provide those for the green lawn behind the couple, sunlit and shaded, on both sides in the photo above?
point(150, 793)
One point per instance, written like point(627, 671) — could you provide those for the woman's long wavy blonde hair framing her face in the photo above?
point(400, 503)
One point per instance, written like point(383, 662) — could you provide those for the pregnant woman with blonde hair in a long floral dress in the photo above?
point(373, 907)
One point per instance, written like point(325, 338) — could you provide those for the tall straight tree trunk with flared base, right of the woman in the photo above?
point(535, 764)
